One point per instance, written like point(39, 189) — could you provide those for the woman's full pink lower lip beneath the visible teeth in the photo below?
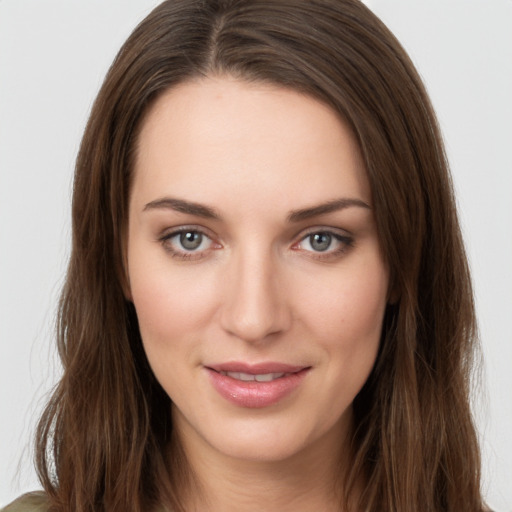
point(252, 394)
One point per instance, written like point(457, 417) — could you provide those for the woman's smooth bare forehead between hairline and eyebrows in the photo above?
point(203, 136)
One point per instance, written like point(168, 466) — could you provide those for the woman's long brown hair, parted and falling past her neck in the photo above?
point(102, 440)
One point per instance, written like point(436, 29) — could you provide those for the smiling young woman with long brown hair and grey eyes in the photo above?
point(268, 306)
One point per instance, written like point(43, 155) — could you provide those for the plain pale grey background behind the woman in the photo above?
point(53, 56)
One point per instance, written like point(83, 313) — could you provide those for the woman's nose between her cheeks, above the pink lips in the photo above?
point(255, 303)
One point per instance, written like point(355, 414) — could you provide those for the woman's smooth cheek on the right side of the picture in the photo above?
point(345, 316)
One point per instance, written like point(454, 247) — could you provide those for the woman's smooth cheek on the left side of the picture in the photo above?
point(172, 306)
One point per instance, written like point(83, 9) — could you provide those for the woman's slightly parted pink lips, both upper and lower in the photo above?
point(254, 394)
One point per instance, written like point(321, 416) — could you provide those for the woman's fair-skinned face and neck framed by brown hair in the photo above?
point(252, 248)
